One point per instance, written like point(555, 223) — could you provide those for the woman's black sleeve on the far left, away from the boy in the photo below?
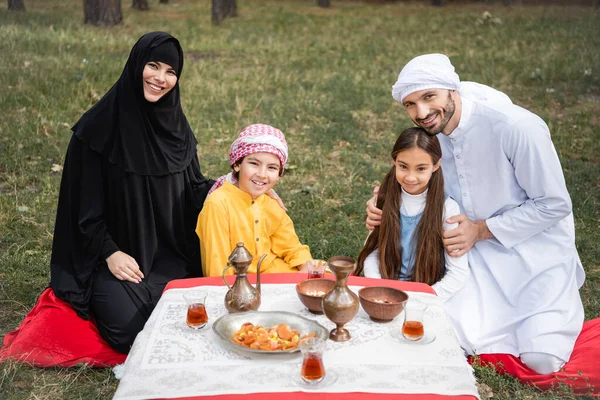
point(81, 240)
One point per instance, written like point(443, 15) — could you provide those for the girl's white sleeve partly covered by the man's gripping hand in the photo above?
point(457, 269)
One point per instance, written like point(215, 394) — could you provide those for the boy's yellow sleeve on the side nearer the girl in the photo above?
point(286, 245)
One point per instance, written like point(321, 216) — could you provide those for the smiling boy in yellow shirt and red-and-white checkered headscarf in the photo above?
point(240, 210)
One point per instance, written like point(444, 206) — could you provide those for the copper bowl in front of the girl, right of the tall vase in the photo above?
point(382, 304)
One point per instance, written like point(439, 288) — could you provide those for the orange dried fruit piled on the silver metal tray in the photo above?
point(278, 337)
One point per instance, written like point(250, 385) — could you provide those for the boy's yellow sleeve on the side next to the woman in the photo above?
point(213, 232)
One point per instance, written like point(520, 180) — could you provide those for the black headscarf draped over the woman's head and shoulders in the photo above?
point(139, 136)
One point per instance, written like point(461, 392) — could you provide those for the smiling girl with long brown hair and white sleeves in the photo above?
point(408, 243)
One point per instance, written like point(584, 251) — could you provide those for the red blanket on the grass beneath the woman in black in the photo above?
point(52, 334)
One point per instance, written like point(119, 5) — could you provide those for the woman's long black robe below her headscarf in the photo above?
point(151, 218)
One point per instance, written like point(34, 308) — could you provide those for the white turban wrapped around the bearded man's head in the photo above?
point(429, 71)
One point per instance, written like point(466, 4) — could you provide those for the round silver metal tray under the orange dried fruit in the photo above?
point(228, 324)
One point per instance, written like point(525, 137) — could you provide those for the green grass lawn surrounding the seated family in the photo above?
point(322, 76)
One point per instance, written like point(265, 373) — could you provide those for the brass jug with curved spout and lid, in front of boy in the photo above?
point(242, 296)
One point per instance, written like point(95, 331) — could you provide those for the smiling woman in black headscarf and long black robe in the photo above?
point(129, 198)
